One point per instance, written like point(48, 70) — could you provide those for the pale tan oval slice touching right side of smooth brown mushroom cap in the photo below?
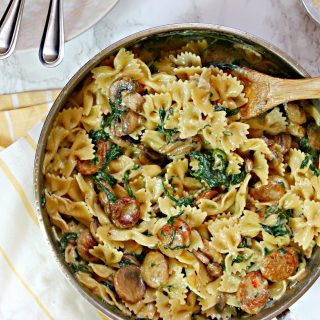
point(155, 269)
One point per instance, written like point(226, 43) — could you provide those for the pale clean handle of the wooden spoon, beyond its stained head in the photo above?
point(284, 90)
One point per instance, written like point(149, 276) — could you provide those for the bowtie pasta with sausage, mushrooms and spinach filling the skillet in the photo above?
point(167, 205)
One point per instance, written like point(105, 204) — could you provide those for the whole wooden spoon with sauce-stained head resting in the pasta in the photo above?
point(265, 92)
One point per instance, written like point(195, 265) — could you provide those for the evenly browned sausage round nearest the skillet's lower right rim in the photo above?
point(280, 264)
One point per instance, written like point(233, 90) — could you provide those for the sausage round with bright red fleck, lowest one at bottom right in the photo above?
point(253, 292)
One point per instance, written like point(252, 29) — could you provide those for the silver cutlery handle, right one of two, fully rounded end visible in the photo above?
point(51, 49)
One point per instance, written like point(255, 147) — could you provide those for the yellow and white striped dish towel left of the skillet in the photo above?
point(32, 287)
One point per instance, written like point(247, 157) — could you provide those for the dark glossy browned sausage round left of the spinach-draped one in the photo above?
point(125, 212)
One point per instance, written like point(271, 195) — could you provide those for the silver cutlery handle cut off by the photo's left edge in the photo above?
point(9, 27)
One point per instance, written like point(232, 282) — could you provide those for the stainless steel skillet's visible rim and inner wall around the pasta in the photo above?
point(229, 44)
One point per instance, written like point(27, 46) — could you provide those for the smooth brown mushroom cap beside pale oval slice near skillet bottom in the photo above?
point(128, 284)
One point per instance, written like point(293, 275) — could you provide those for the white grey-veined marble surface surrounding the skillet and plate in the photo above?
point(281, 22)
